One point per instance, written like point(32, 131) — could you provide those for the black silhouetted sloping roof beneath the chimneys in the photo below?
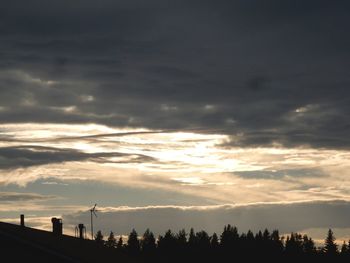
point(18, 244)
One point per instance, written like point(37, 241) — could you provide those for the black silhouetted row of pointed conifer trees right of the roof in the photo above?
point(200, 246)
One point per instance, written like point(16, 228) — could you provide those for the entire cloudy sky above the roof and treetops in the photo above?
point(176, 114)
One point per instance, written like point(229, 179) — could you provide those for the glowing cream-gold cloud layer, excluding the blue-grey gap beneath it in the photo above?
point(191, 163)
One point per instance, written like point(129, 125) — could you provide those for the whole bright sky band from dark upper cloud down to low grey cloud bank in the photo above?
point(61, 169)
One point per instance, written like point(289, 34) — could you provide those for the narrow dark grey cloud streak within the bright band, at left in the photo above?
point(26, 156)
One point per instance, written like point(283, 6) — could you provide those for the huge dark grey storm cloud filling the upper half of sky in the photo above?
point(268, 71)
